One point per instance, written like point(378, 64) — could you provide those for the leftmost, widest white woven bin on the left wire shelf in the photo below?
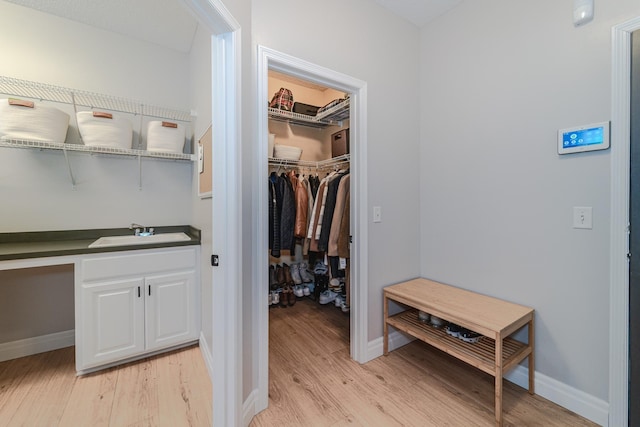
point(27, 120)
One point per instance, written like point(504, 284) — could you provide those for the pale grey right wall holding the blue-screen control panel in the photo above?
point(498, 79)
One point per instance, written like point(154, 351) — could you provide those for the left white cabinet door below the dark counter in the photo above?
point(113, 321)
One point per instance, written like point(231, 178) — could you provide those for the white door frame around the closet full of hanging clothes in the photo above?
point(269, 59)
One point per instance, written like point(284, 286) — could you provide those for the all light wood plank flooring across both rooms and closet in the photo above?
point(312, 383)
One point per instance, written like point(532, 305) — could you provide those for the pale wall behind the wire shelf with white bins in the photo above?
point(44, 48)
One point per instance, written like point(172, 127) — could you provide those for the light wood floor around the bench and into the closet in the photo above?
point(314, 383)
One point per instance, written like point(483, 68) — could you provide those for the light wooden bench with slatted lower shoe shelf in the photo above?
point(495, 354)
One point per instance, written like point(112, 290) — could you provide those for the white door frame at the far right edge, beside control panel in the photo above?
point(619, 264)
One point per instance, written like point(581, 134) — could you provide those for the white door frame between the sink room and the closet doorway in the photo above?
point(226, 211)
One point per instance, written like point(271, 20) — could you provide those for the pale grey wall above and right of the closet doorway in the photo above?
point(361, 39)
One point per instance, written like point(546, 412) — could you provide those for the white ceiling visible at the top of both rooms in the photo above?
point(168, 23)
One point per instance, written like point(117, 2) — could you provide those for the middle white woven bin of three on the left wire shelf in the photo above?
point(100, 129)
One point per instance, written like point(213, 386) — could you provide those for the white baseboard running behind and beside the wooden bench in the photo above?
point(575, 400)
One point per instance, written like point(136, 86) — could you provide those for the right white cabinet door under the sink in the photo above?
point(170, 309)
